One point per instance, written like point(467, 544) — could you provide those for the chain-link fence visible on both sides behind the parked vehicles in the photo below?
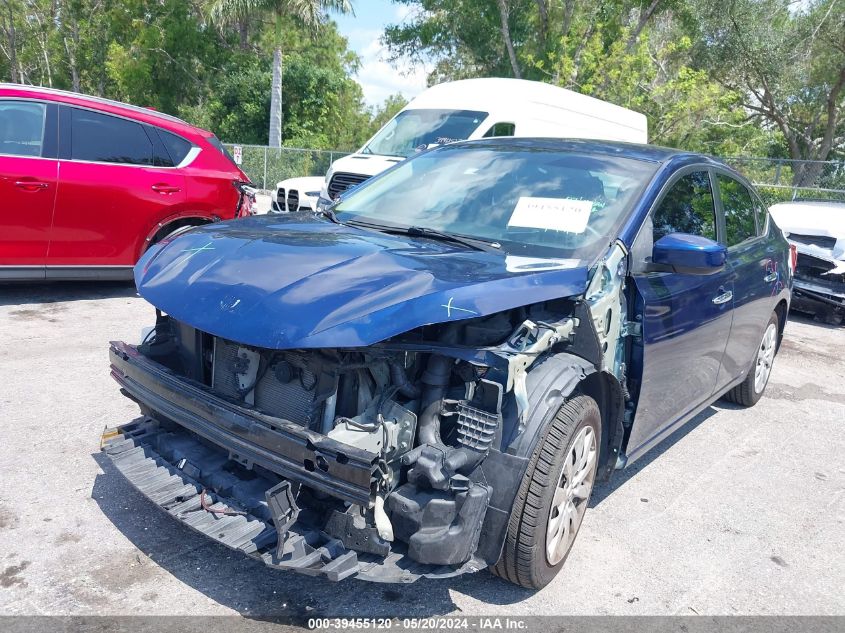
point(777, 179)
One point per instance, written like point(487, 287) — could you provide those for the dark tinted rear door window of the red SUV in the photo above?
point(109, 139)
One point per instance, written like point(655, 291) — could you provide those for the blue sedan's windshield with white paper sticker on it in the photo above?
point(534, 200)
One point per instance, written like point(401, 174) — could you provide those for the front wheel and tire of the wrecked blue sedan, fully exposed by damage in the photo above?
point(553, 496)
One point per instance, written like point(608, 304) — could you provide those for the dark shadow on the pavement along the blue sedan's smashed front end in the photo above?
point(255, 590)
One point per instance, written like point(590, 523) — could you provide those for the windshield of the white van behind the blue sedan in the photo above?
point(413, 130)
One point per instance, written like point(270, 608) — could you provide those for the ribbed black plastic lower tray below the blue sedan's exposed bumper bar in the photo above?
point(175, 470)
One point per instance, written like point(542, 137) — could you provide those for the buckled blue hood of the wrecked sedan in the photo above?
point(301, 281)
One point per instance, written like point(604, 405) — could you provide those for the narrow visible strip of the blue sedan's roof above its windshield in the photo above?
point(635, 151)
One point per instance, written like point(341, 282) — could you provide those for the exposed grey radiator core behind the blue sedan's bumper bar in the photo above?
point(290, 398)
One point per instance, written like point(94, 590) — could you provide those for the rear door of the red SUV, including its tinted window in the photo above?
point(112, 191)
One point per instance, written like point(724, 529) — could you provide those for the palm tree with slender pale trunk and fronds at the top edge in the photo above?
point(310, 13)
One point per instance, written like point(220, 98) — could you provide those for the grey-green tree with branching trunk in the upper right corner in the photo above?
point(786, 61)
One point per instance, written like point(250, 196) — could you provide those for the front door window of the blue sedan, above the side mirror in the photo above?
point(687, 208)
